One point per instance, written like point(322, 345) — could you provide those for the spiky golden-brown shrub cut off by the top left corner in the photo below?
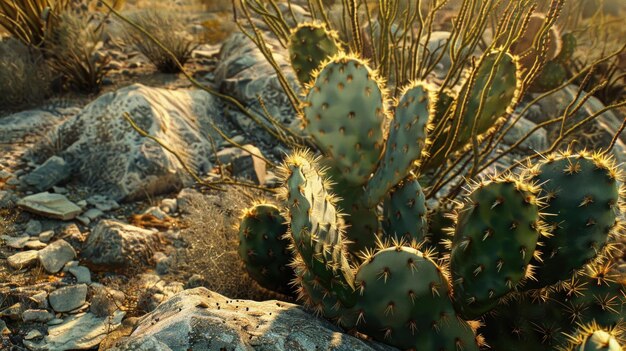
point(30, 20)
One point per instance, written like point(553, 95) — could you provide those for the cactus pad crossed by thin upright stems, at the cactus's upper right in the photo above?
point(498, 97)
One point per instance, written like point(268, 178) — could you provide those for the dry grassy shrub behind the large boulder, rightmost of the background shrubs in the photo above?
point(169, 30)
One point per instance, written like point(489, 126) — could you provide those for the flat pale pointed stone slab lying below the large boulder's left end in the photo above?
point(50, 205)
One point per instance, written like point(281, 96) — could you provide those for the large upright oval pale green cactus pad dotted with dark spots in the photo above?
point(345, 112)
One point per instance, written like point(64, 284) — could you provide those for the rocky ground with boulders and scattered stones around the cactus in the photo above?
point(107, 243)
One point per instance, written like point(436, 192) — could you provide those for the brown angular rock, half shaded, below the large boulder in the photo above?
point(116, 243)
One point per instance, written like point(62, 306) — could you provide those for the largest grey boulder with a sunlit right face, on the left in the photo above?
point(109, 157)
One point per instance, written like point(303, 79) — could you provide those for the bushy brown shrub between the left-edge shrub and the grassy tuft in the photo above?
point(74, 52)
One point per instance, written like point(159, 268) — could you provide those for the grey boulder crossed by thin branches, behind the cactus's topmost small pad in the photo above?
point(243, 73)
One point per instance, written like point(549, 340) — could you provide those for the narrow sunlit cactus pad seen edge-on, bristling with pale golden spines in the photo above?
point(315, 225)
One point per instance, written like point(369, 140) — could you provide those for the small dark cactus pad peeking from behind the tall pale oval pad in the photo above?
point(310, 44)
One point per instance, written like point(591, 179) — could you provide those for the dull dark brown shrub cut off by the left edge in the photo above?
point(25, 80)
